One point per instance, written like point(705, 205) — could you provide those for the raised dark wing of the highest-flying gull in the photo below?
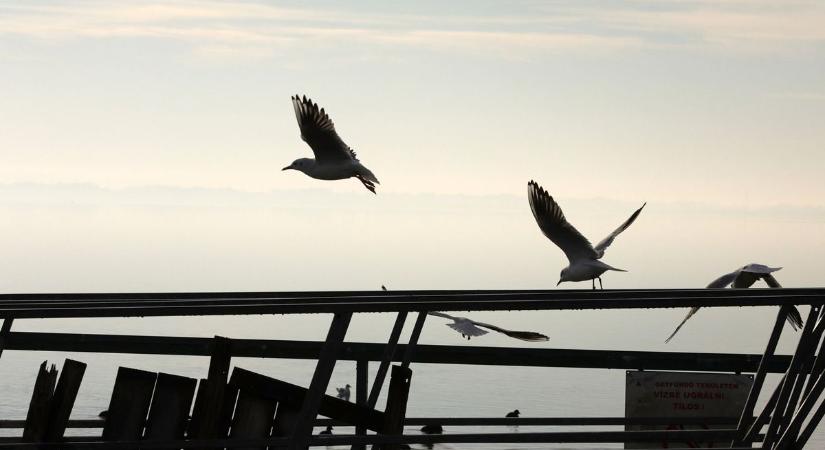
point(318, 131)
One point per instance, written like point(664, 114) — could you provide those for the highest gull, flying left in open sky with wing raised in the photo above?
point(334, 160)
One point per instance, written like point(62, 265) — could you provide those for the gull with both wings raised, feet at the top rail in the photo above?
point(583, 256)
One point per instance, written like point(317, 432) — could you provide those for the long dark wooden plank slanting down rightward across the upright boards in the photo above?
point(293, 396)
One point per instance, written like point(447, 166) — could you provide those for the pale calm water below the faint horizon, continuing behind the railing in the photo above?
point(82, 238)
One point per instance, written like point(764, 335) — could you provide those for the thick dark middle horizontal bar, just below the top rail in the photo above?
point(433, 354)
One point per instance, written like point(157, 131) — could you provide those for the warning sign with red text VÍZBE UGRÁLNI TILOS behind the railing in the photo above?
point(684, 394)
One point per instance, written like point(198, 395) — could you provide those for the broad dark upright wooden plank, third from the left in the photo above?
point(129, 404)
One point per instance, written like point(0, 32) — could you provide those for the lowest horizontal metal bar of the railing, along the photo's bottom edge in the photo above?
point(338, 439)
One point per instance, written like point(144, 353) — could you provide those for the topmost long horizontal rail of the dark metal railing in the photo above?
point(183, 304)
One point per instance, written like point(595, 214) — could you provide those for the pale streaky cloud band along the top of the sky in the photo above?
point(221, 28)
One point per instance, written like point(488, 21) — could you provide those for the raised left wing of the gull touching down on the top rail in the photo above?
point(553, 224)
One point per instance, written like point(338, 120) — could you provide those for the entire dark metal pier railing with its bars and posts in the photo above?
point(791, 415)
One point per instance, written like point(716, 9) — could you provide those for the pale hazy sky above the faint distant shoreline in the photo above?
point(636, 100)
